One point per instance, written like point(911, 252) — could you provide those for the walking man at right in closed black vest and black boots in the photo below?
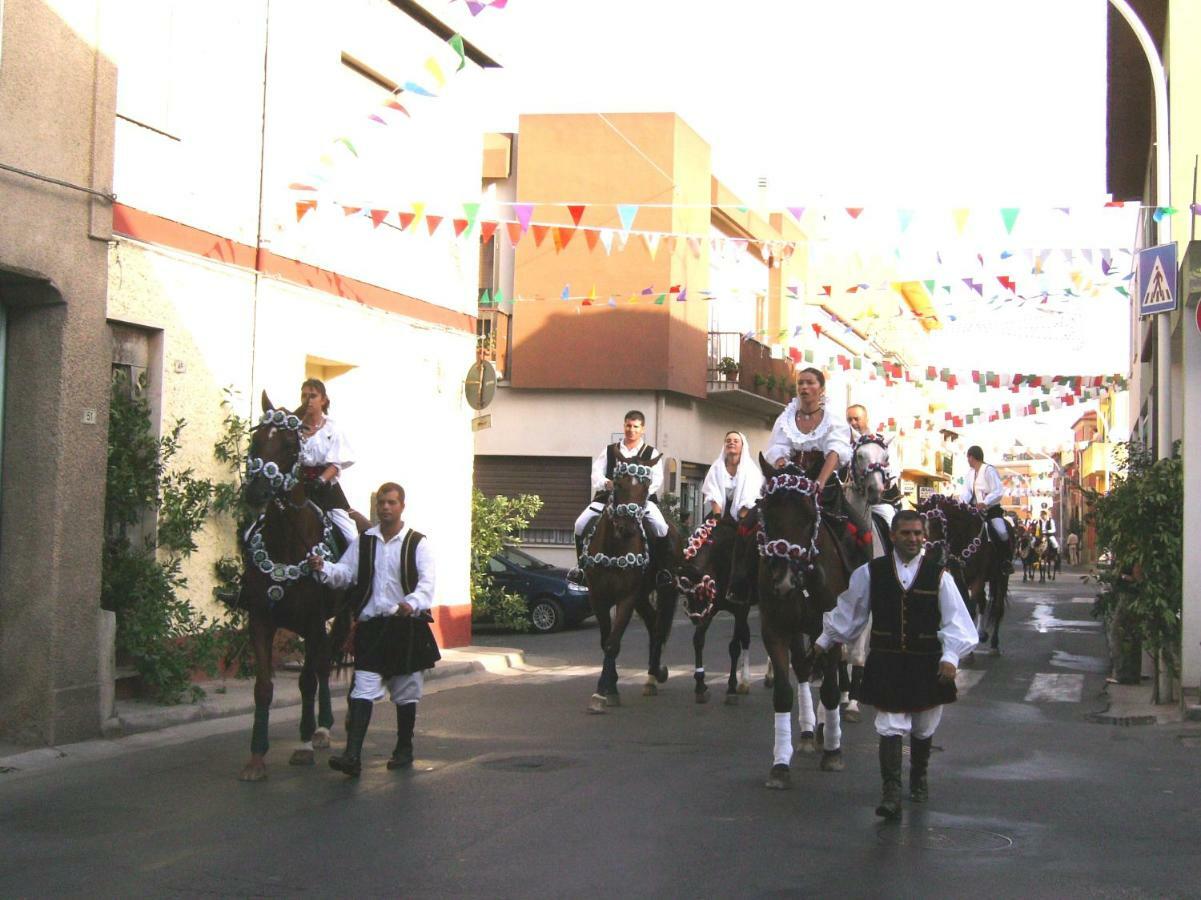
point(921, 629)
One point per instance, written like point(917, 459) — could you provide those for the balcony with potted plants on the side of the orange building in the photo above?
point(745, 376)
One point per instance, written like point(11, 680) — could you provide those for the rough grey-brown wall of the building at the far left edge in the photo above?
point(57, 94)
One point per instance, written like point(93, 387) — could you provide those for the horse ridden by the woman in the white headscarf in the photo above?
point(713, 579)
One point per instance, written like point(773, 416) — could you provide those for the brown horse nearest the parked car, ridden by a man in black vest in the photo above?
point(618, 563)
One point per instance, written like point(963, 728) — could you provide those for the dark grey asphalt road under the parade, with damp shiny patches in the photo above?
point(519, 792)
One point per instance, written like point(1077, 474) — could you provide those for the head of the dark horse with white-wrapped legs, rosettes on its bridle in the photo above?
point(790, 518)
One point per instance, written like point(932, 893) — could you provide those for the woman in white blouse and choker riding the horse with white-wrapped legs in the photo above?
point(809, 434)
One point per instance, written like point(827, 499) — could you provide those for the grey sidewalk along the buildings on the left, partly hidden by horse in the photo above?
point(140, 725)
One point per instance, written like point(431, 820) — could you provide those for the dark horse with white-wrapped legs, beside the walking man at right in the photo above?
point(802, 574)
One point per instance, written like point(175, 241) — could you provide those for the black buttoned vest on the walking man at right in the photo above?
point(906, 621)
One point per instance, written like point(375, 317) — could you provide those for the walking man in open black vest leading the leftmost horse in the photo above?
point(391, 570)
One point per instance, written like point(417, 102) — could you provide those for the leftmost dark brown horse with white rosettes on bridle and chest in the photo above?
point(279, 589)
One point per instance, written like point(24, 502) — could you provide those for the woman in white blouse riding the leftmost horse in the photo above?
point(325, 454)
